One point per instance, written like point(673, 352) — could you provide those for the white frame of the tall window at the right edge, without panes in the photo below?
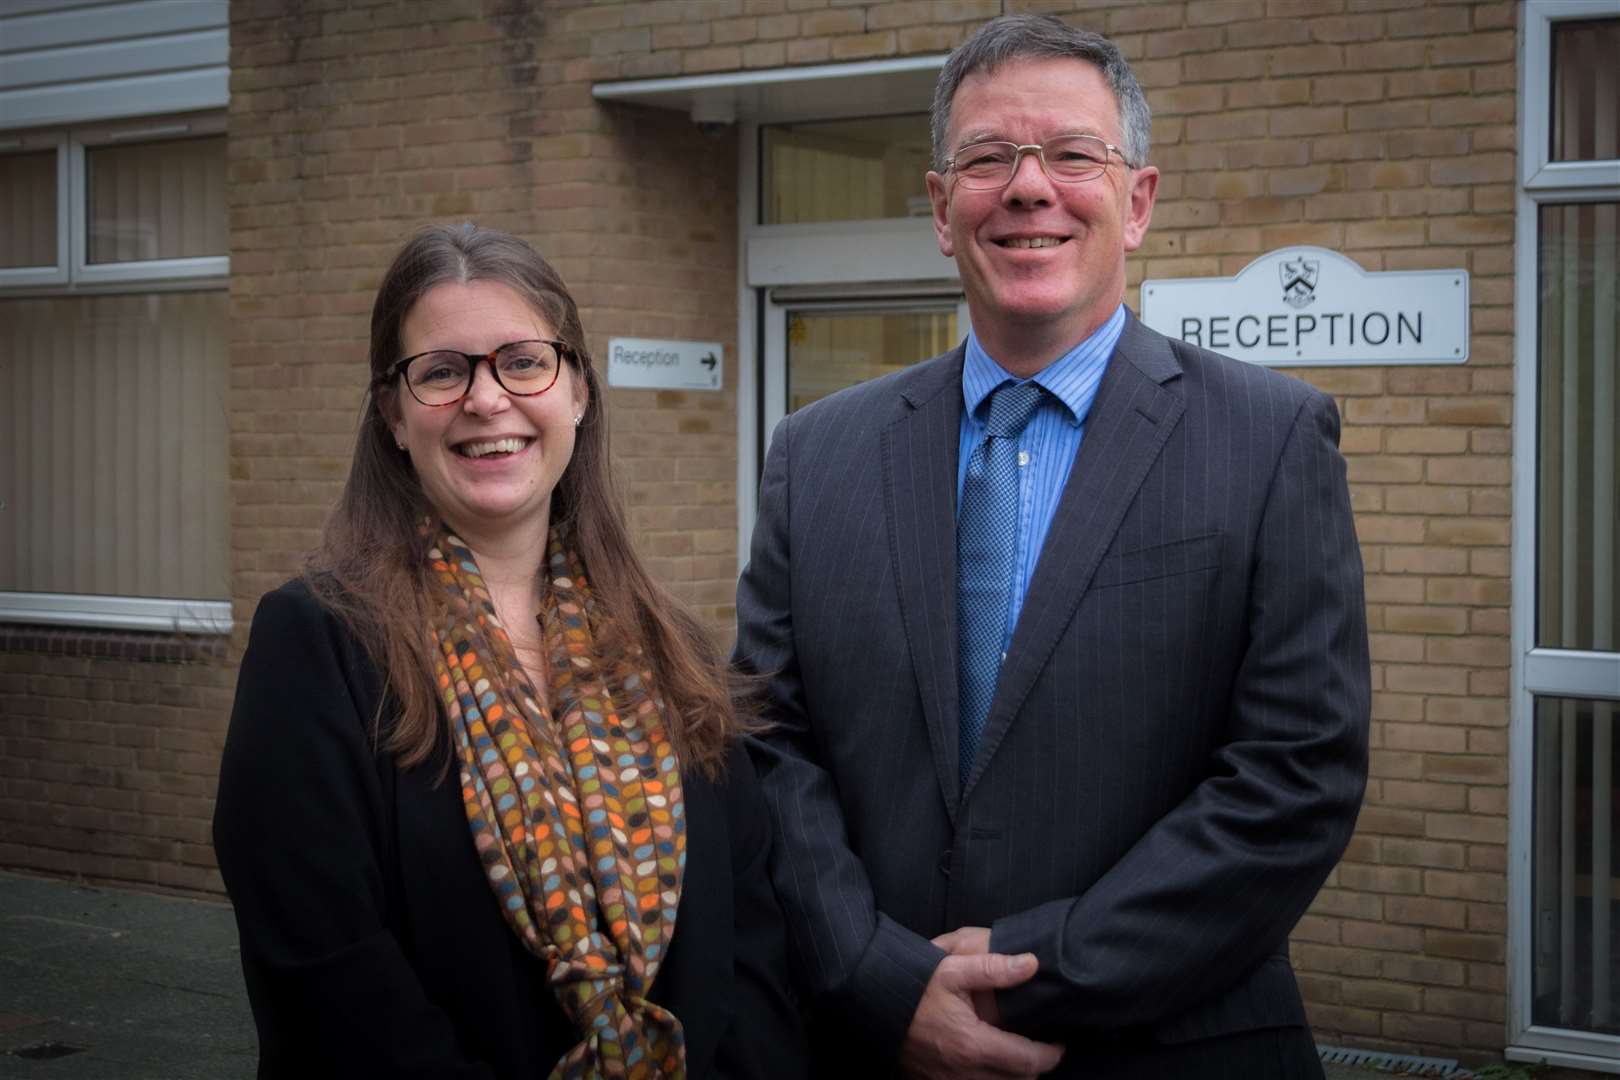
point(1537, 671)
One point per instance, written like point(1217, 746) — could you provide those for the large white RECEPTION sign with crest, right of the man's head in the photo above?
point(1311, 307)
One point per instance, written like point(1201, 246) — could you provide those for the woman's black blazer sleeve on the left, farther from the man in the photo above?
point(299, 831)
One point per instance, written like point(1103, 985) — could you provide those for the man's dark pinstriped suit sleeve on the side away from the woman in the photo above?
point(1217, 885)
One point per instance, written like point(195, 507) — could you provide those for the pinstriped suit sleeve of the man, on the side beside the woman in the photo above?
point(855, 961)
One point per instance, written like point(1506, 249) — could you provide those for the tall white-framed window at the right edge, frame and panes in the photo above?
point(1566, 814)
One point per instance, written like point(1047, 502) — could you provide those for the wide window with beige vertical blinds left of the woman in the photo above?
point(113, 351)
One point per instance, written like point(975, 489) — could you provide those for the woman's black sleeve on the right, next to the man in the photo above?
point(767, 1037)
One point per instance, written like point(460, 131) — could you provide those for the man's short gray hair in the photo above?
point(1039, 38)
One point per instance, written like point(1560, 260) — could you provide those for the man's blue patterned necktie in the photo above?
point(987, 559)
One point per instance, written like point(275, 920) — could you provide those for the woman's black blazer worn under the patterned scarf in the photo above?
point(370, 940)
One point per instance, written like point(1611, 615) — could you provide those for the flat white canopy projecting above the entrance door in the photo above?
point(829, 91)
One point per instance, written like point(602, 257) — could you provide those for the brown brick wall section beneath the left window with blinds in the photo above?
point(111, 747)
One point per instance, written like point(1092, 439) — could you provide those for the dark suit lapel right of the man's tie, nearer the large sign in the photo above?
point(1128, 427)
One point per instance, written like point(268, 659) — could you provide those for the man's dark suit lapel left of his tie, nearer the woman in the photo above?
point(919, 485)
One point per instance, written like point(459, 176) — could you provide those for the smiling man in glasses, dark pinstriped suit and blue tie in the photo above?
point(1065, 637)
